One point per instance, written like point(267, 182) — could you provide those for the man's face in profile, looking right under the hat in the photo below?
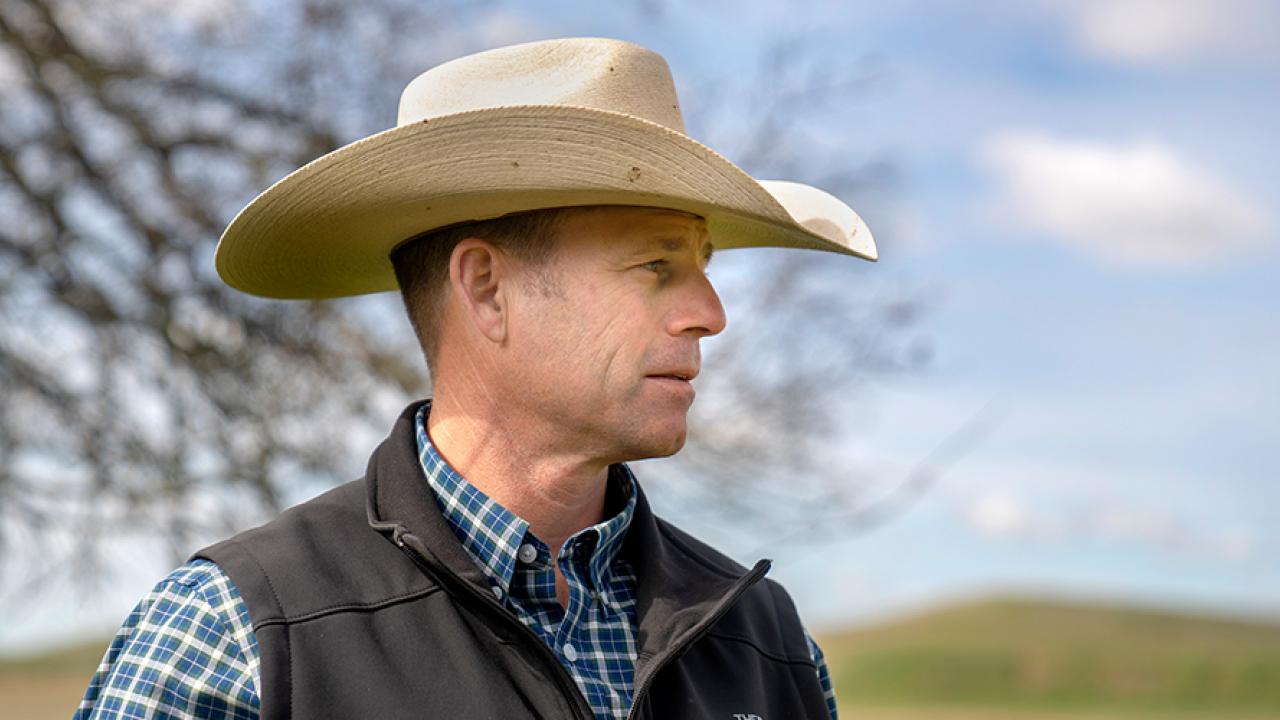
point(607, 341)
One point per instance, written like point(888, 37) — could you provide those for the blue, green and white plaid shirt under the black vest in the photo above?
point(189, 649)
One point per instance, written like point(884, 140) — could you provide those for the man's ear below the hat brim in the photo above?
point(478, 277)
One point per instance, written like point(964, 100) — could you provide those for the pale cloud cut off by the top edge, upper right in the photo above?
point(1162, 31)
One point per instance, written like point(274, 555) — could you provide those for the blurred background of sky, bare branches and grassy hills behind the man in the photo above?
point(1023, 467)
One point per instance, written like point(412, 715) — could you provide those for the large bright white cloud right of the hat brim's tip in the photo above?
point(1140, 203)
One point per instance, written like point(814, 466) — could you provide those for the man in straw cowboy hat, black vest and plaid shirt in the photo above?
point(548, 225)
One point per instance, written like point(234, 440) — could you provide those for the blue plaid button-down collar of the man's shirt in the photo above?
point(493, 535)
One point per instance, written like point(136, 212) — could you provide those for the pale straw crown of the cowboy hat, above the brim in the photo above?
point(586, 72)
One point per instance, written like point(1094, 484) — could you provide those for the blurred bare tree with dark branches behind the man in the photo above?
point(140, 395)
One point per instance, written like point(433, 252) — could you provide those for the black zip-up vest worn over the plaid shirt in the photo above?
point(365, 605)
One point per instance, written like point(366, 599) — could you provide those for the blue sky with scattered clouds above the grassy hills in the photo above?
point(1090, 192)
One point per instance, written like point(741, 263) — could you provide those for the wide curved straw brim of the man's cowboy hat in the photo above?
point(328, 229)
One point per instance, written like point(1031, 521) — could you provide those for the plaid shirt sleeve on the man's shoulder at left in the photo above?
point(186, 651)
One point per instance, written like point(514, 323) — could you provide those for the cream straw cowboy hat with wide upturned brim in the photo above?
point(543, 125)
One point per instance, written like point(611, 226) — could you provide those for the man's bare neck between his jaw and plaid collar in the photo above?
point(556, 491)
